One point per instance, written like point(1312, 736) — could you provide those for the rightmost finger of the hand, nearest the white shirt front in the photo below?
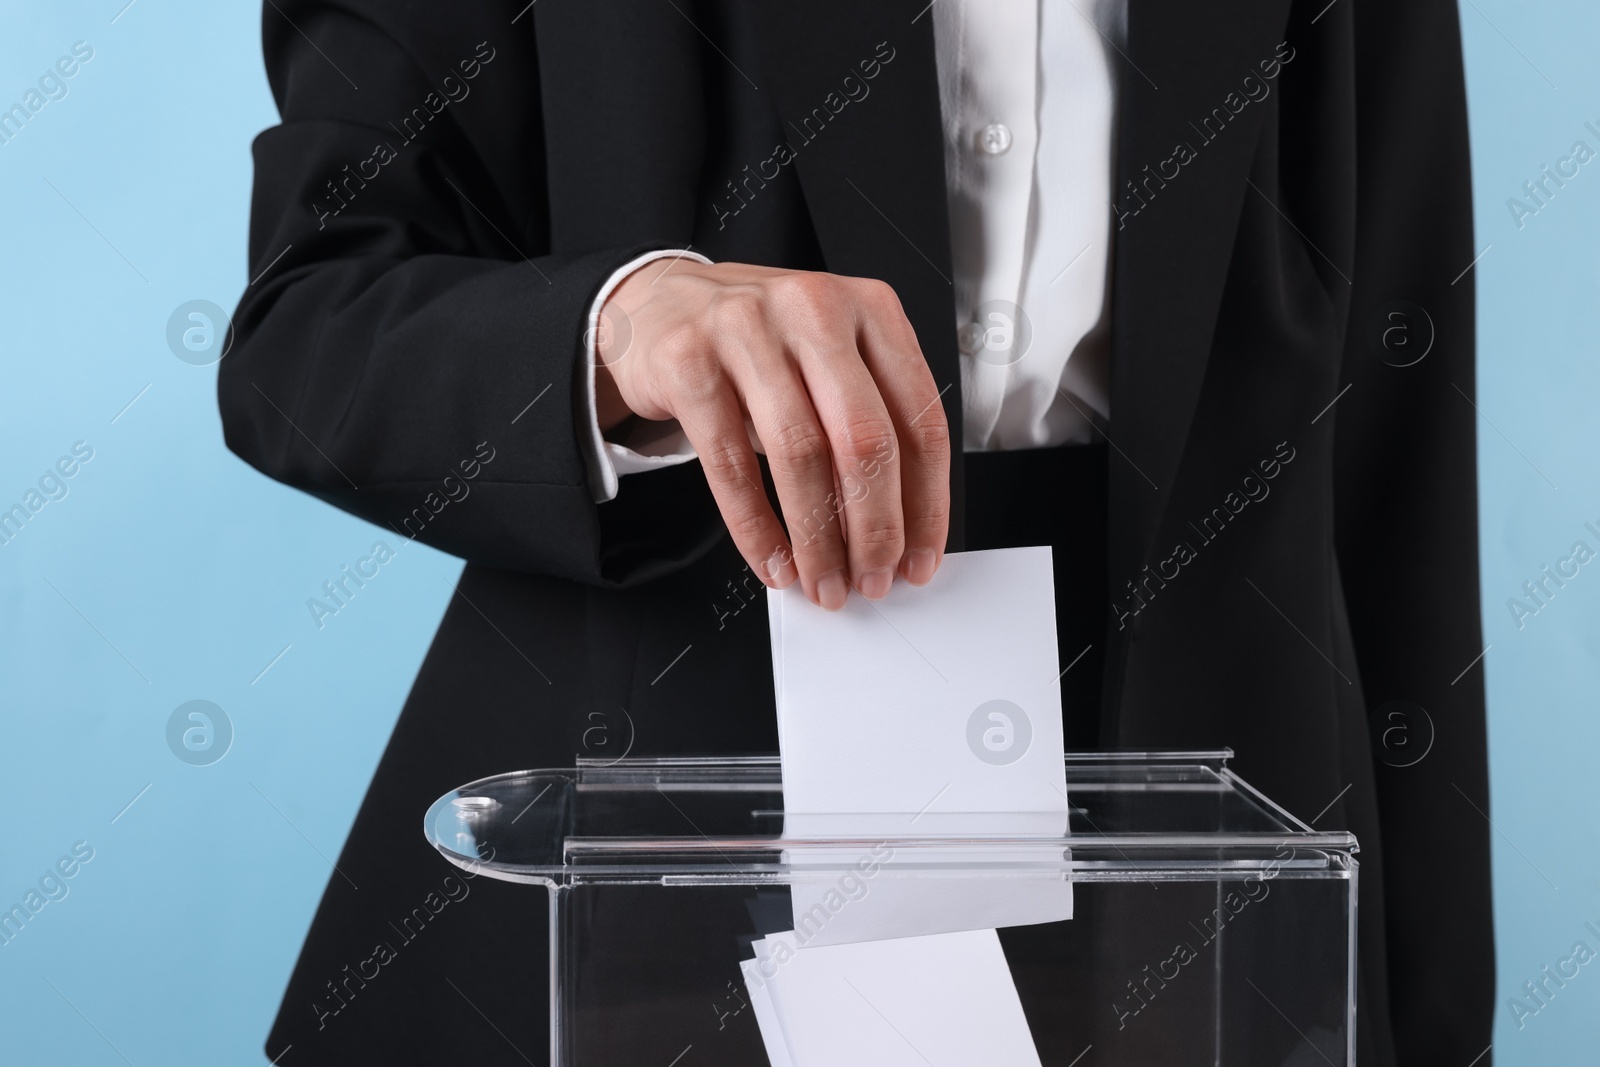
point(892, 356)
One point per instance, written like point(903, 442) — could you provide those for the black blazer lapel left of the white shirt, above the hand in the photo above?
point(858, 94)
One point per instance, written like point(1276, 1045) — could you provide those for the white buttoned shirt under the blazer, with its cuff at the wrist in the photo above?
point(1028, 102)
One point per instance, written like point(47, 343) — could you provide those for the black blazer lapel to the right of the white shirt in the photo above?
point(1185, 113)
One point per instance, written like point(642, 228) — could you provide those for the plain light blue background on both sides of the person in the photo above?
point(172, 572)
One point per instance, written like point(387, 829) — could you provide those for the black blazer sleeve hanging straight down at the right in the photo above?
point(1406, 494)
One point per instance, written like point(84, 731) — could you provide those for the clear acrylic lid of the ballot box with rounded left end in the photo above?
point(1132, 817)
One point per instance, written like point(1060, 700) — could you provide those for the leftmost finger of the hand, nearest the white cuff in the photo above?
point(711, 415)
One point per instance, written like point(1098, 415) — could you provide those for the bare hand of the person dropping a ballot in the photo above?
point(828, 372)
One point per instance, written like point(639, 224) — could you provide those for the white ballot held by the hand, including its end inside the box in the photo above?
point(934, 713)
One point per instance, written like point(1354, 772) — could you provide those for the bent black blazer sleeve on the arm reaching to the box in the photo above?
point(410, 348)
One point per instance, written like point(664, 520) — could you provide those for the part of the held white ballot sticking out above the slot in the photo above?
point(935, 700)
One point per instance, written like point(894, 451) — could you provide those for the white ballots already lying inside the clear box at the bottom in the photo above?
point(945, 999)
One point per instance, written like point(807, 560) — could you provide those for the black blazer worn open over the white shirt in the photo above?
point(452, 183)
